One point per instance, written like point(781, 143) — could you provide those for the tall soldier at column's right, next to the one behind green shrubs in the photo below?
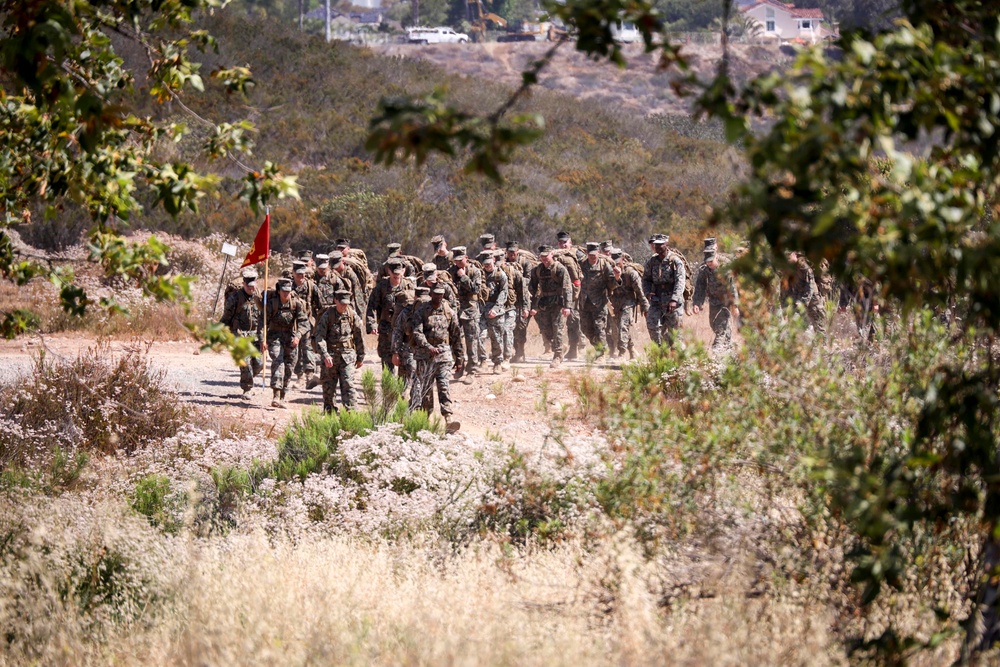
point(663, 286)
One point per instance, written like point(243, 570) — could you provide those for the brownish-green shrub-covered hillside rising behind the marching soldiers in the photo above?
point(602, 170)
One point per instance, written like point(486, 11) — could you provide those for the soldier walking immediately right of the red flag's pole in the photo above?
point(286, 326)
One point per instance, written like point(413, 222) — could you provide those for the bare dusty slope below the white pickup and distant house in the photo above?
point(641, 86)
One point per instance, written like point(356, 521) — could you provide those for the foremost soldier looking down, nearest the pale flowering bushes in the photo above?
point(437, 346)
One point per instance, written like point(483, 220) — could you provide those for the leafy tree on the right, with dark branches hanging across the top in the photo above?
point(836, 177)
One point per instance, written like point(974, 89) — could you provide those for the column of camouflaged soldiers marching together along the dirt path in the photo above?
point(455, 314)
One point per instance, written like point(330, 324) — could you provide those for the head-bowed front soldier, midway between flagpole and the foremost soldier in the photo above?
point(342, 347)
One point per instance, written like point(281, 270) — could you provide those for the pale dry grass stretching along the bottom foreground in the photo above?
point(250, 599)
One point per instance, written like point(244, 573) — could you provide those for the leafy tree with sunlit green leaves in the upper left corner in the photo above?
point(67, 133)
